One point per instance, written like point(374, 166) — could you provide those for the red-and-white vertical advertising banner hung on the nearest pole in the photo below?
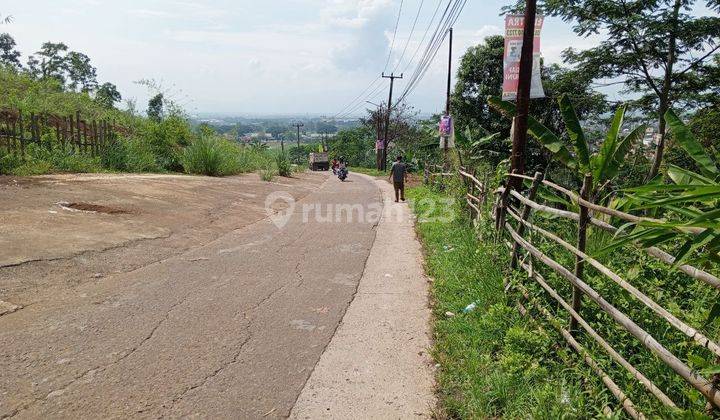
point(514, 26)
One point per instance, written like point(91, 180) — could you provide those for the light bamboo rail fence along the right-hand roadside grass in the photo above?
point(512, 213)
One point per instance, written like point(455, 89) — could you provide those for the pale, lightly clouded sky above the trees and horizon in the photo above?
point(250, 57)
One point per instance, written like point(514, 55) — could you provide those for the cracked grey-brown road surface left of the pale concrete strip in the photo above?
point(229, 329)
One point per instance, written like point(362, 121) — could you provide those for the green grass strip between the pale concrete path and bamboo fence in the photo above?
point(492, 361)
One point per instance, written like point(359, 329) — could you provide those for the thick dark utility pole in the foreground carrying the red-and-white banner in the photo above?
point(519, 140)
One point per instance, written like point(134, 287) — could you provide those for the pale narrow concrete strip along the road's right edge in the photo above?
point(377, 364)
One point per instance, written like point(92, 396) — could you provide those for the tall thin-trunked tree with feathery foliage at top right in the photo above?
point(652, 47)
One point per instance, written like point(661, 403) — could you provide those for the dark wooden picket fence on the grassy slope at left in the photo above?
point(18, 129)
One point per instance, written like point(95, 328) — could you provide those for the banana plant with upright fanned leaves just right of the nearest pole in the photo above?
point(604, 165)
